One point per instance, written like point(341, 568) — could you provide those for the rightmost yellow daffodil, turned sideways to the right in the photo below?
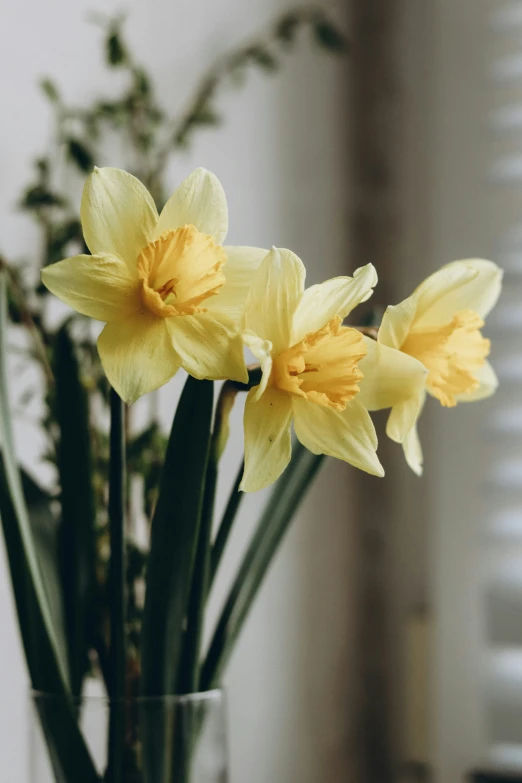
point(440, 326)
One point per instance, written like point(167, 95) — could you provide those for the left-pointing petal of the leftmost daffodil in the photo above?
point(98, 286)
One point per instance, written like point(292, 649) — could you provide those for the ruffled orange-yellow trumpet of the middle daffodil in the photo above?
point(323, 366)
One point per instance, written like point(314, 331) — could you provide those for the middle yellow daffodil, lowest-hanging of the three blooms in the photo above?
point(311, 370)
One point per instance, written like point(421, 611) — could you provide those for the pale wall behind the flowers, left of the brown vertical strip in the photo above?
point(280, 158)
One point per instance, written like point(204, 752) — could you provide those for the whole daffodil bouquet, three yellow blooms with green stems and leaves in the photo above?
point(172, 295)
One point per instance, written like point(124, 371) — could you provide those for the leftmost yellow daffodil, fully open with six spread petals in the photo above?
point(171, 295)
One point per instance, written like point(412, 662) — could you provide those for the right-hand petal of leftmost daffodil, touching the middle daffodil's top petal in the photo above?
point(240, 267)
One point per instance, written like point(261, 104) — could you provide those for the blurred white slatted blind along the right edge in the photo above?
point(501, 552)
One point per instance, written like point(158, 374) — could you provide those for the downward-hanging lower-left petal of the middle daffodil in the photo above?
point(267, 438)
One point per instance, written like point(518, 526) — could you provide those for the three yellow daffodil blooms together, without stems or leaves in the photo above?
point(172, 295)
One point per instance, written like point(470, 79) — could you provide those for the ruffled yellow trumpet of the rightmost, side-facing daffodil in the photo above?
point(452, 354)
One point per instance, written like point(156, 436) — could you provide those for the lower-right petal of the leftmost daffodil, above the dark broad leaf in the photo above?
point(208, 347)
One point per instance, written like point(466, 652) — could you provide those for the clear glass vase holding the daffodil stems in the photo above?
point(171, 739)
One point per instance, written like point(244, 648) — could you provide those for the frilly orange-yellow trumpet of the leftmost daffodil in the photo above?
point(179, 270)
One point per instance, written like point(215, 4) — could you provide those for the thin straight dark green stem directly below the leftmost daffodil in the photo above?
point(117, 654)
